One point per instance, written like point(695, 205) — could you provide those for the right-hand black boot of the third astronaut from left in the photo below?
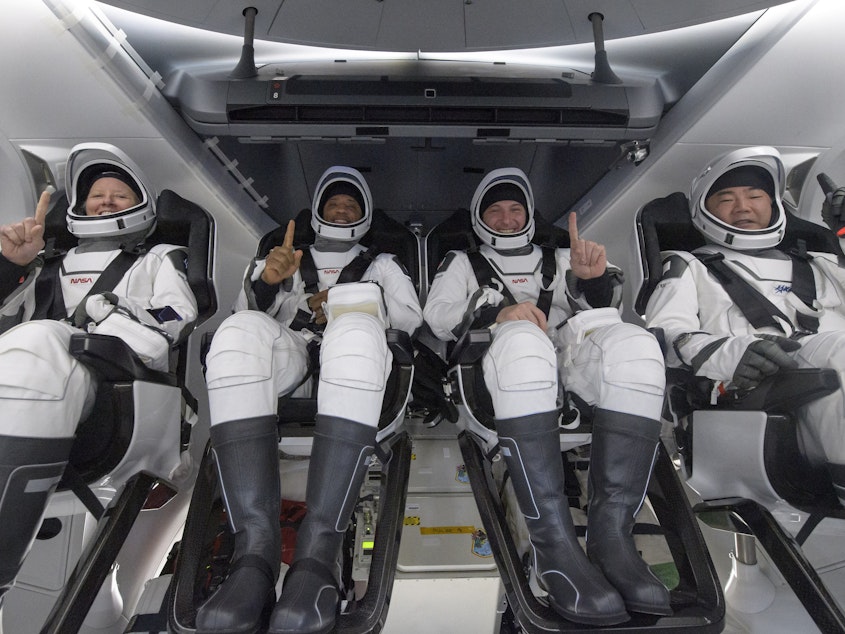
point(621, 457)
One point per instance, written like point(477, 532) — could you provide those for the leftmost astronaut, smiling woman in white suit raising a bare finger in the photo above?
point(44, 391)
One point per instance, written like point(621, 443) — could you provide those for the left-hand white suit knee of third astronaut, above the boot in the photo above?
point(520, 370)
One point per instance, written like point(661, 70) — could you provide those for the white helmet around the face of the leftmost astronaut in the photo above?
point(87, 159)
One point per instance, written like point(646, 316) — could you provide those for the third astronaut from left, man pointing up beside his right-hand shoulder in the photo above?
point(559, 321)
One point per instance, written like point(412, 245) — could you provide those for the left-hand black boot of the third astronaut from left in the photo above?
point(577, 590)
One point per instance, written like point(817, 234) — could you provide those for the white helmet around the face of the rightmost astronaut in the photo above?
point(767, 158)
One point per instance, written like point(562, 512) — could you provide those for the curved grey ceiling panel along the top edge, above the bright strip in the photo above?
point(441, 25)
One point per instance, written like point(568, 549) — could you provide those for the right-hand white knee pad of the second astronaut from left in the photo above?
point(354, 353)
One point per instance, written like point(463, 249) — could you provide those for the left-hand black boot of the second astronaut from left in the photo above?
point(247, 456)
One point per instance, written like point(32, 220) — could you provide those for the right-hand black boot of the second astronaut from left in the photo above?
point(339, 461)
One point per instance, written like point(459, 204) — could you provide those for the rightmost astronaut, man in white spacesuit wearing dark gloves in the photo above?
point(737, 205)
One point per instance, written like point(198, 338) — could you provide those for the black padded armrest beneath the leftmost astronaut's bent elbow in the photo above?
point(113, 360)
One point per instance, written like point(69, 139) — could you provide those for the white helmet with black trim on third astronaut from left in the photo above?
point(506, 183)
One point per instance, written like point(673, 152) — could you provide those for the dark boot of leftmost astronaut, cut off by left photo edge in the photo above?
point(30, 470)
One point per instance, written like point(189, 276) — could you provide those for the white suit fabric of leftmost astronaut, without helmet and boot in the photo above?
point(44, 391)
